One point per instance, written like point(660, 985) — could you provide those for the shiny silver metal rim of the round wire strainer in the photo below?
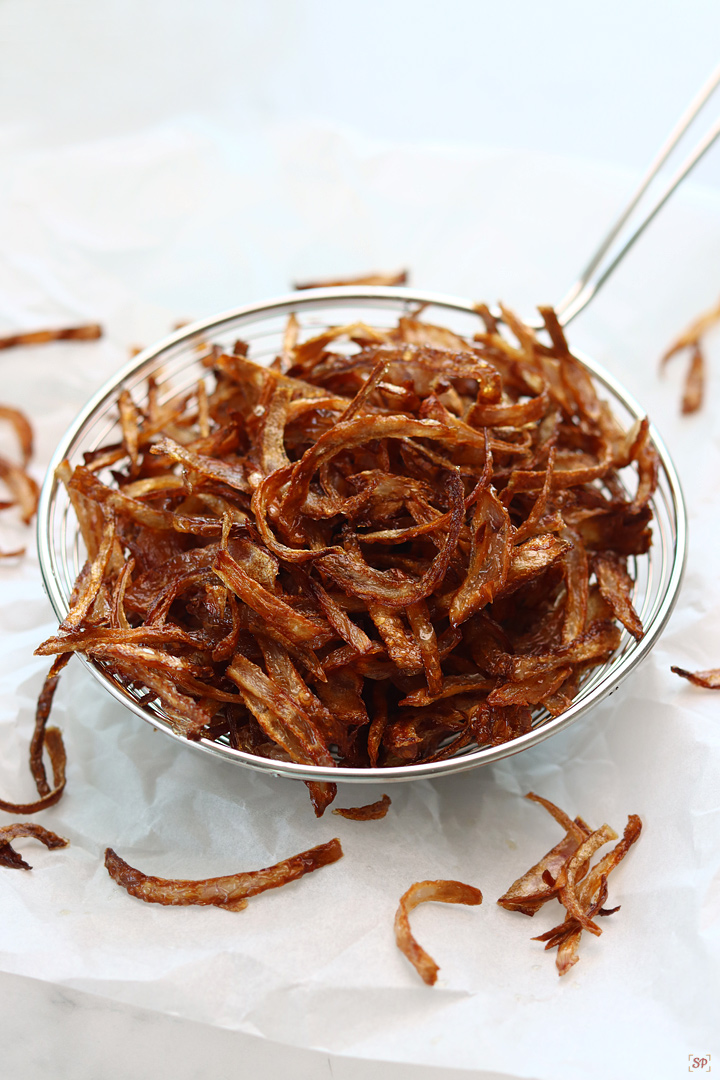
point(395, 299)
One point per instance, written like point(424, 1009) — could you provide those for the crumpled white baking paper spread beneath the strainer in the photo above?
point(180, 222)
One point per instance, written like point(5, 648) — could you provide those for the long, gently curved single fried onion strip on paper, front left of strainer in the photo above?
point(230, 893)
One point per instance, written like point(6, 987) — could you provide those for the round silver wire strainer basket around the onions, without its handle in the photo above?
point(176, 363)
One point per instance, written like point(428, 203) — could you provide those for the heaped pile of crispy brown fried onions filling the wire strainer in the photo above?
point(386, 547)
